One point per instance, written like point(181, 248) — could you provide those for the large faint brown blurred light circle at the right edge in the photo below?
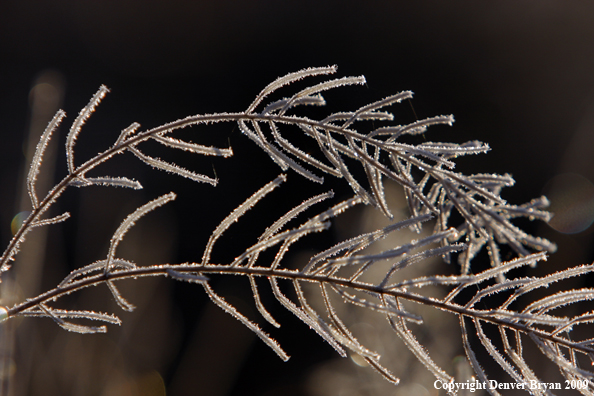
point(572, 203)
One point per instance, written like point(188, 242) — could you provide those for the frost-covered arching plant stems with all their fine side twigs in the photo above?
point(365, 150)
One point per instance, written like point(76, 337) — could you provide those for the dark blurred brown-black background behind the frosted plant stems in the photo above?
point(518, 75)
